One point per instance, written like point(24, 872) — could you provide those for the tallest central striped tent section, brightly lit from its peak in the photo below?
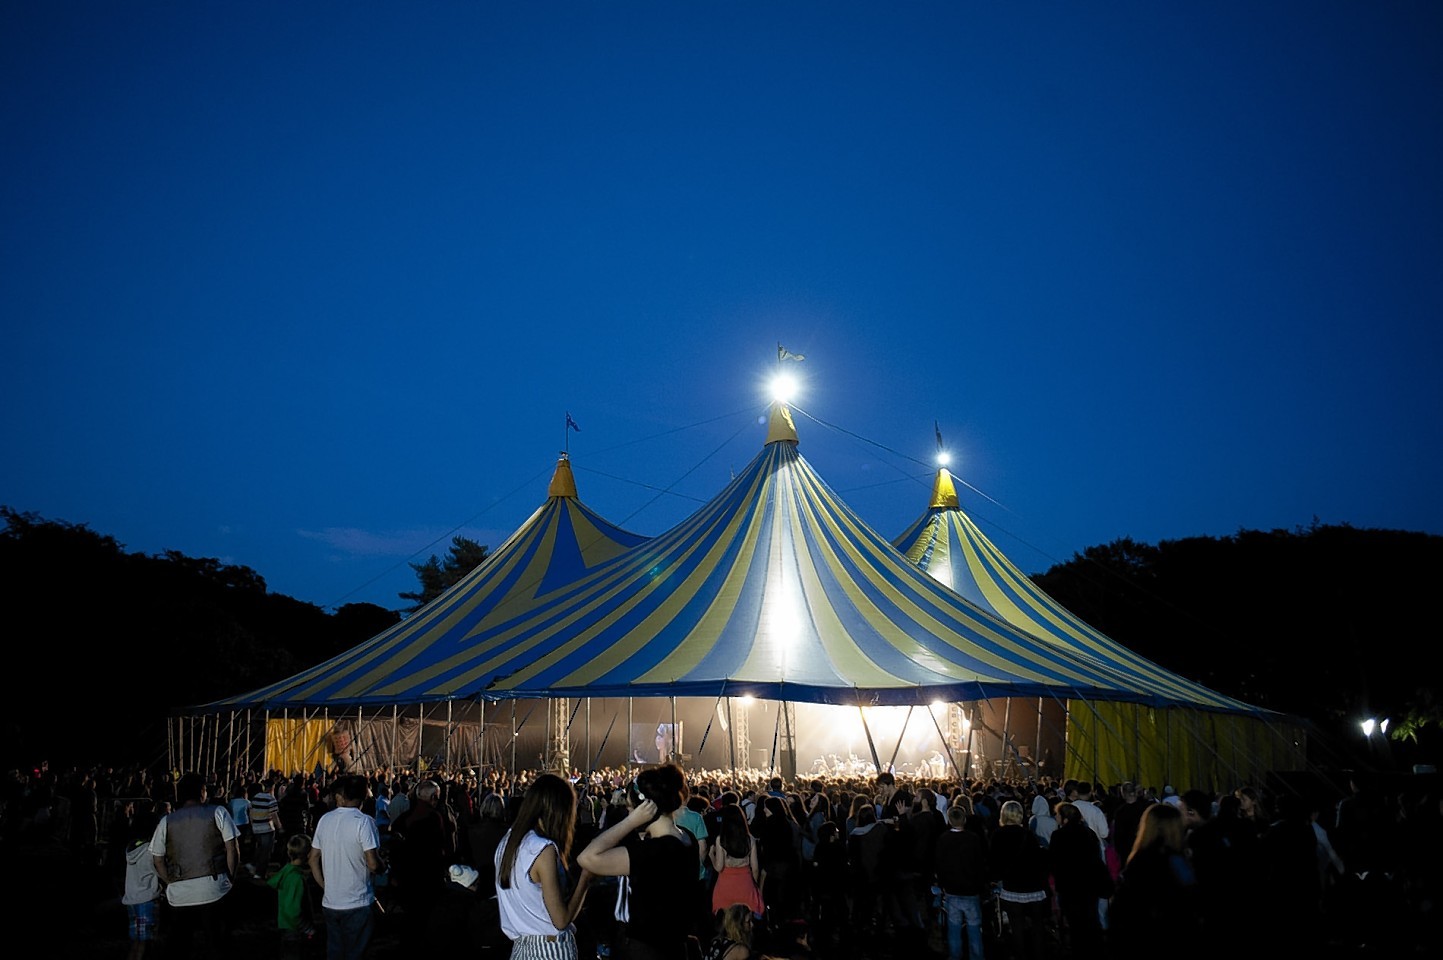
point(774, 590)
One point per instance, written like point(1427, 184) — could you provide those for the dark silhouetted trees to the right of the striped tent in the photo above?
point(1328, 623)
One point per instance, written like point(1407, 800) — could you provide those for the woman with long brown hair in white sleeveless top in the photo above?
point(530, 861)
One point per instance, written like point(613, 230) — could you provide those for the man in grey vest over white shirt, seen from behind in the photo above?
point(197, 852)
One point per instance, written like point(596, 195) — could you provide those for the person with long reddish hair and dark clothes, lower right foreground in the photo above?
point(1155, 907)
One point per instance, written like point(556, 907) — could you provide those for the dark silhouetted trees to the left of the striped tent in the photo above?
point(105, 645)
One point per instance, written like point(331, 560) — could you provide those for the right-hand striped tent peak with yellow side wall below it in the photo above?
point(1211, 733)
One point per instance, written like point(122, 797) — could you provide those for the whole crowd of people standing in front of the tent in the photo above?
point(657, 864)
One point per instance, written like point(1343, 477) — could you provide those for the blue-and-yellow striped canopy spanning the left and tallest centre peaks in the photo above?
point(773, 590)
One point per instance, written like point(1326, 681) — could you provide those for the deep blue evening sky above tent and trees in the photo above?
point(311, 288)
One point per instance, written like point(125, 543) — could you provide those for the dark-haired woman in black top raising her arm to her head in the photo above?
point(662, 870)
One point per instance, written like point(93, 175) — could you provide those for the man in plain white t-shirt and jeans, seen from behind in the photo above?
point(344, 857)
